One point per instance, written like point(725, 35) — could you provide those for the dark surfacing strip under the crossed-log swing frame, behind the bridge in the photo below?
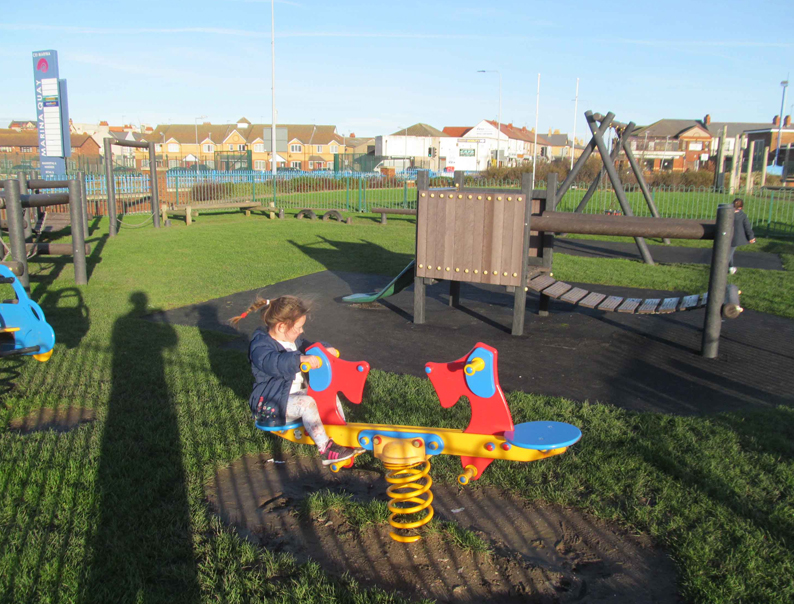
point(662, 254)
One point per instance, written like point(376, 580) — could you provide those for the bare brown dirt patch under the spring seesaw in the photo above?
point(539, 553)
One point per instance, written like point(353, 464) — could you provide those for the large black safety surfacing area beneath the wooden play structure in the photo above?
point(641, 363)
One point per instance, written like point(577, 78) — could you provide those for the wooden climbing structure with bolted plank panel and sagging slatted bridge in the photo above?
point(505, 237)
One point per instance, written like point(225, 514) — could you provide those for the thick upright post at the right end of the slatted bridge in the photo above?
point(718, 280)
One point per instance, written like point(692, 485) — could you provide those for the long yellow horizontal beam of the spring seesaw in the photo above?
point(456, 442)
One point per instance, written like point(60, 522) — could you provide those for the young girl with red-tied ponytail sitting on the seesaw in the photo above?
point(276, 353)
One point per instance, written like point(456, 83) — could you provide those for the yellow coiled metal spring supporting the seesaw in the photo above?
point(414, 481)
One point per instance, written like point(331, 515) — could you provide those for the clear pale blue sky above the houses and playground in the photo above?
point(373, 67)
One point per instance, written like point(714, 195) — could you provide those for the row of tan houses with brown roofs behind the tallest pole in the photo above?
point(242, 146)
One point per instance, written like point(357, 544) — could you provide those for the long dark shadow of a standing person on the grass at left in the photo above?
point(142, 548)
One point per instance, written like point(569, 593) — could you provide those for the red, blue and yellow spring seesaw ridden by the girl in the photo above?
point(406, 451)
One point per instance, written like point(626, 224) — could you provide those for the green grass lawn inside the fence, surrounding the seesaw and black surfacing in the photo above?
point(114, 511)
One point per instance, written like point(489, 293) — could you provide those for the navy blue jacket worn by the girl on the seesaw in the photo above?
point(274, 368)
